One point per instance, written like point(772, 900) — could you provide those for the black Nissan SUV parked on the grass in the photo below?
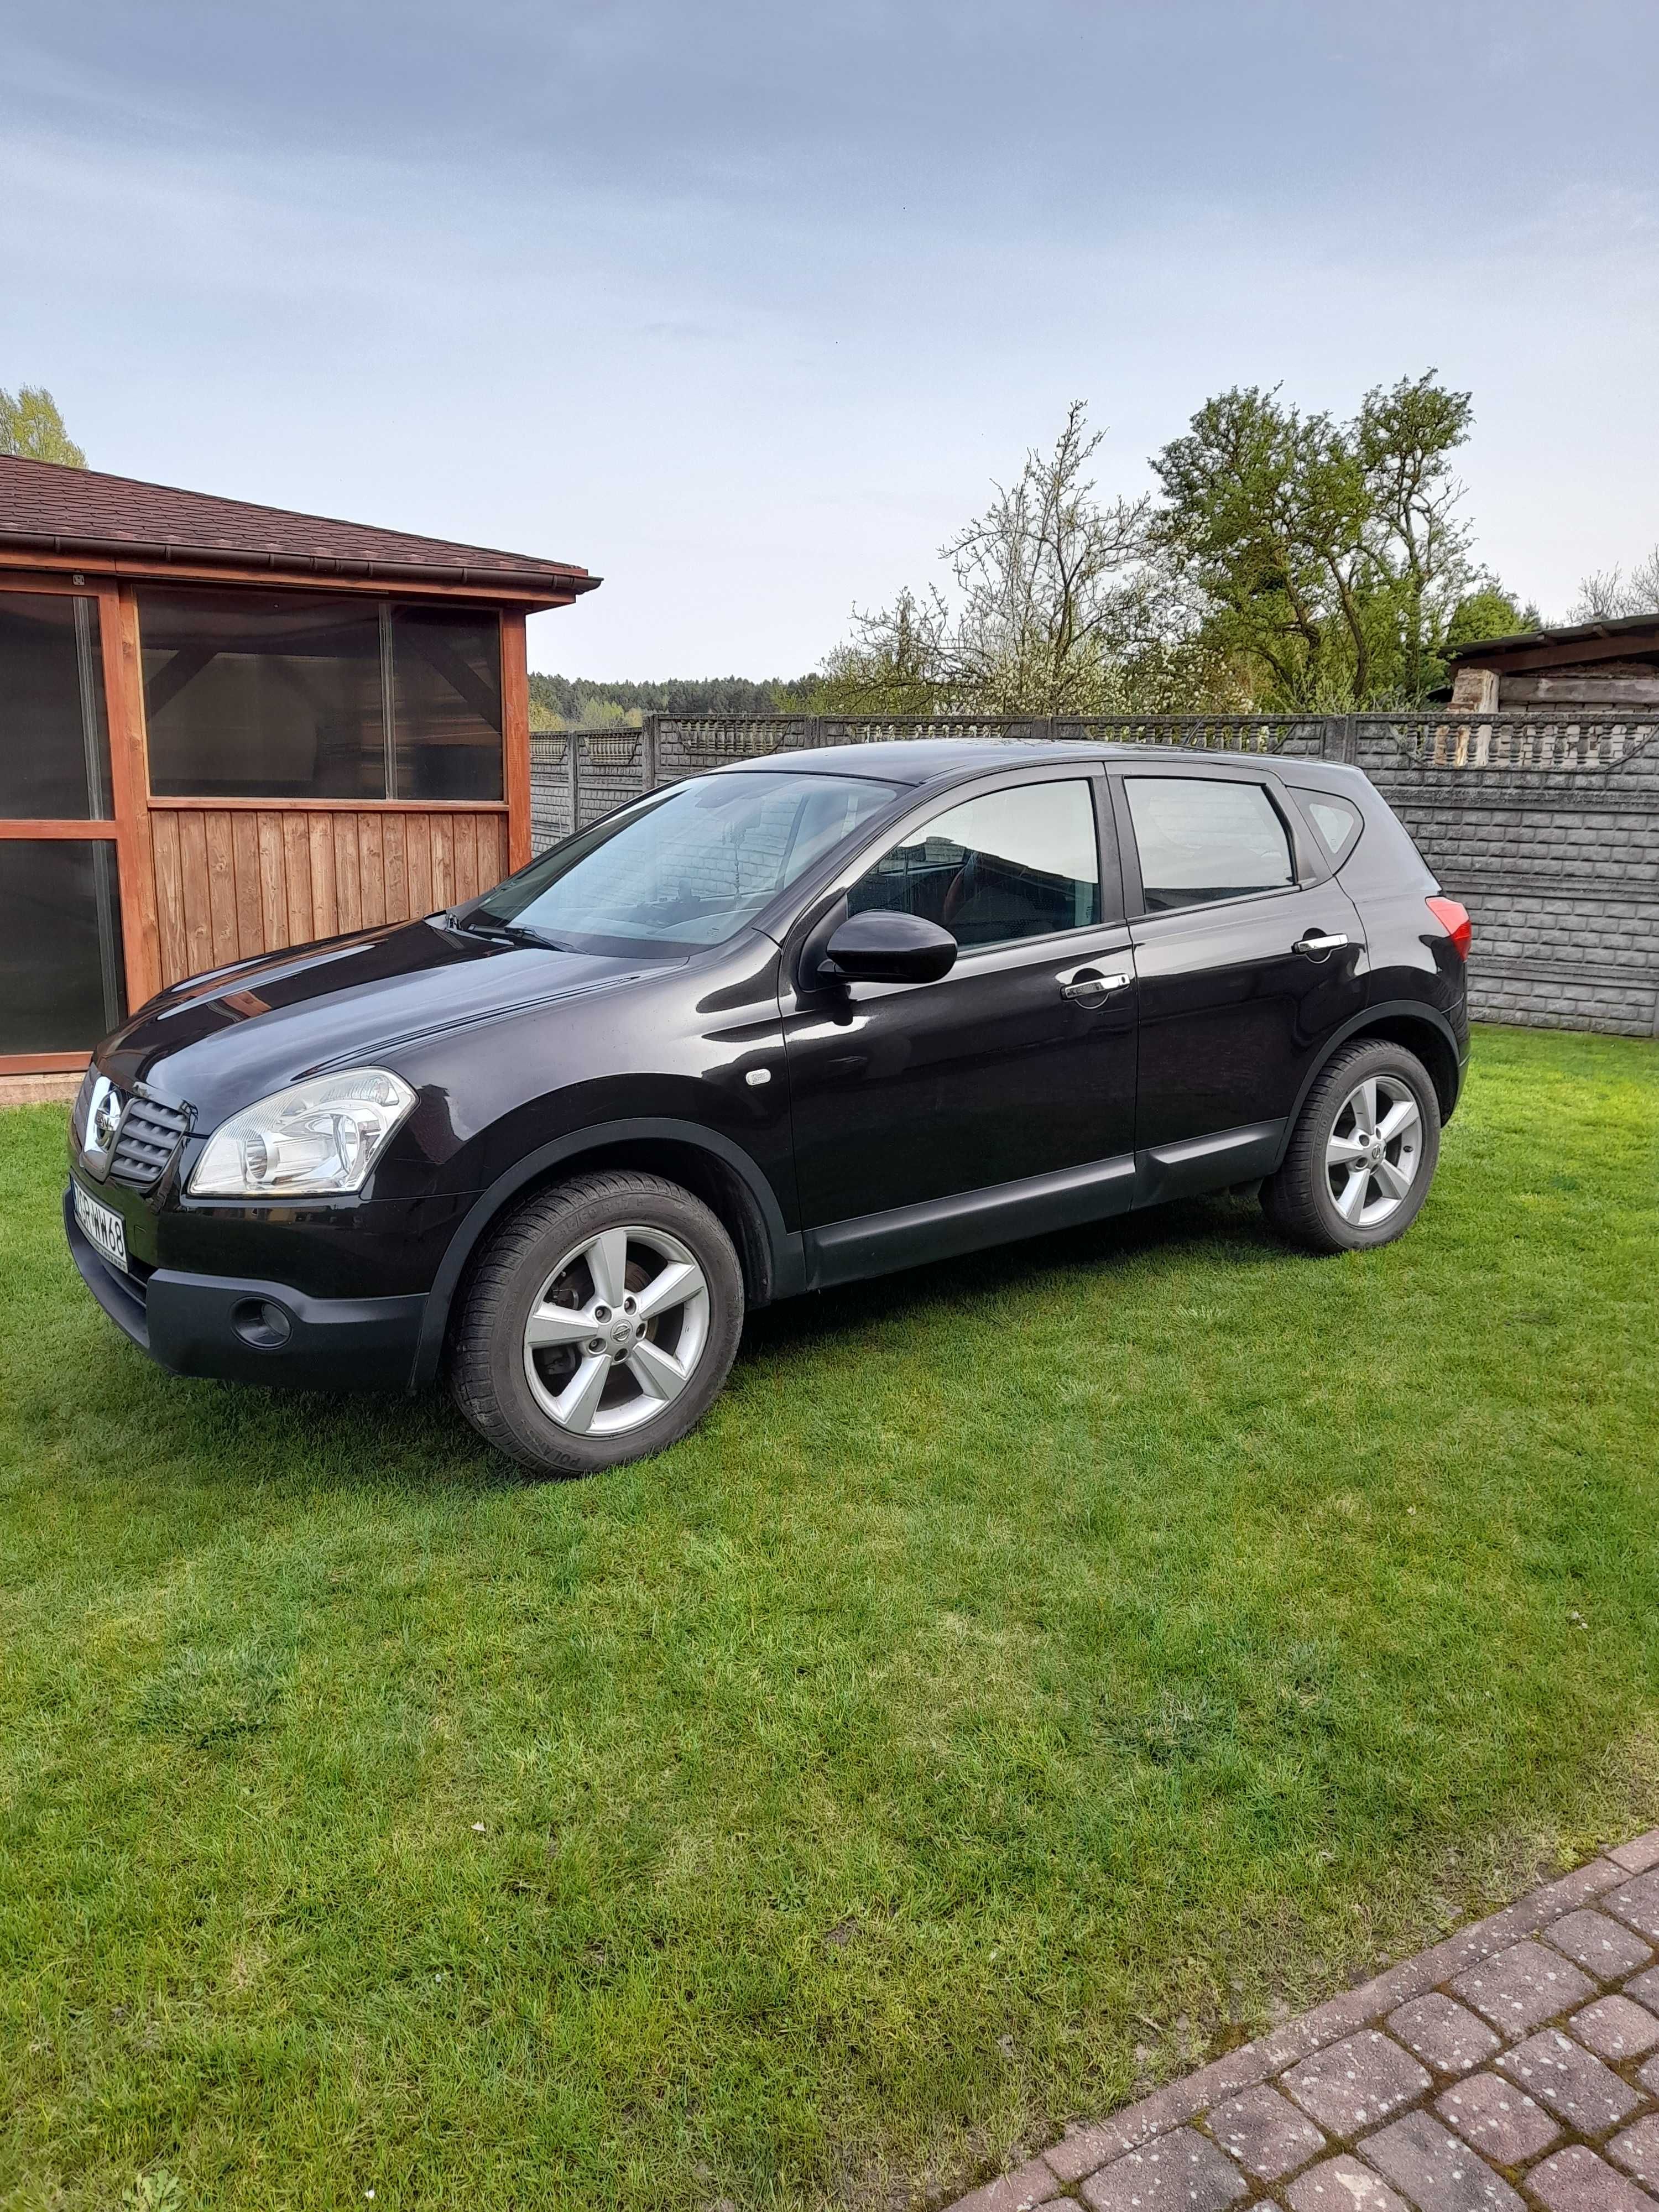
point(778, 1027)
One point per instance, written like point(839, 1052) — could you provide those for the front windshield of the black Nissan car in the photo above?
point(682, 868)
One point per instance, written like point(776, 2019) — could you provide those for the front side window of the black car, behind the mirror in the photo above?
point(1008, 866)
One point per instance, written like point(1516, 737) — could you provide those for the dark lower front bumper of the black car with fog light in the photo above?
point(253, 1333)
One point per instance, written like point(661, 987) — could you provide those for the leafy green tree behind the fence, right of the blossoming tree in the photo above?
point(1328, 556)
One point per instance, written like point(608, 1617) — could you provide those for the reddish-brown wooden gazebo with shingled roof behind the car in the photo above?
point(229, 729)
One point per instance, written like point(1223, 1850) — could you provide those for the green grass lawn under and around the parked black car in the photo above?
point(1034, 1673)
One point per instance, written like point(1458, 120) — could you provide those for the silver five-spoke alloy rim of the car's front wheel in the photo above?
point(616, 1331)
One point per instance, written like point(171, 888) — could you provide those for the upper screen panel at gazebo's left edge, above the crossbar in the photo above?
point(54, 744)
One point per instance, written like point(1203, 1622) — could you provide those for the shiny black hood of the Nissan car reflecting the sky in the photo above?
point(233, 1036)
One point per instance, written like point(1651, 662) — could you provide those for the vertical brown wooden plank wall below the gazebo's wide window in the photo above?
point(242, 881)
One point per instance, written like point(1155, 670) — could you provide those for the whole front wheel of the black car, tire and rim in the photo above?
point(559, 1388)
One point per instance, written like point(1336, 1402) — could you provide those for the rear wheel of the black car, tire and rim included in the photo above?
point(1342, 1187)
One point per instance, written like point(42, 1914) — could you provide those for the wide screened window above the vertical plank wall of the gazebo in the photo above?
point(302, 696)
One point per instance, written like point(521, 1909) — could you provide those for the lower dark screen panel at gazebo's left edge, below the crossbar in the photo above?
point(61, 946)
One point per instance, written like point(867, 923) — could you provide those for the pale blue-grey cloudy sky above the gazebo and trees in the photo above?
point(744, 304)
